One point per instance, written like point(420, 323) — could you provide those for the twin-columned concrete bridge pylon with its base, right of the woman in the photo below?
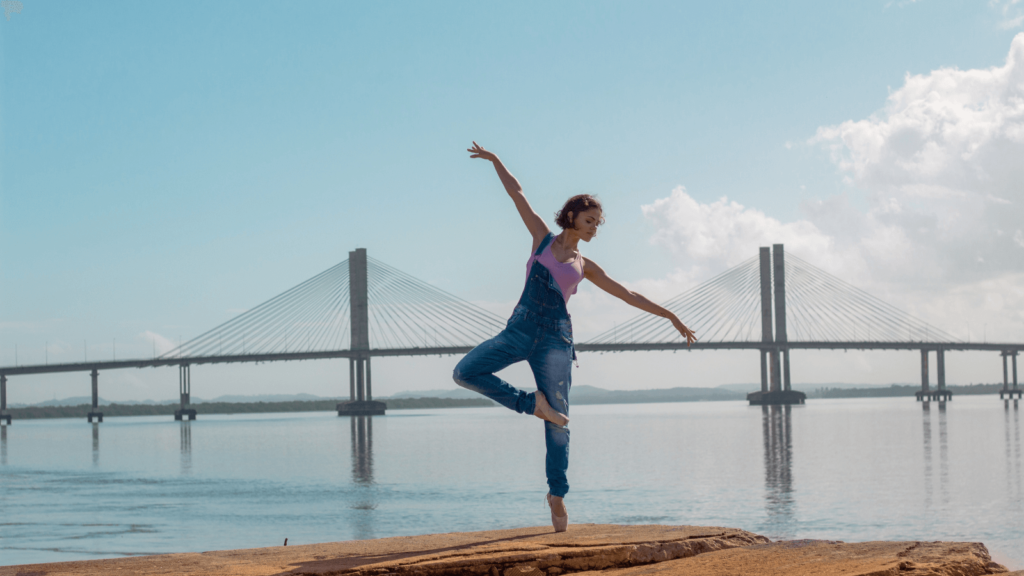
point(775, 351)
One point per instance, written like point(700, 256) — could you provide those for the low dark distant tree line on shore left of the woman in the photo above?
point(81, 410)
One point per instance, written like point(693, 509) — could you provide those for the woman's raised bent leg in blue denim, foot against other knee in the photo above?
point(477, 373)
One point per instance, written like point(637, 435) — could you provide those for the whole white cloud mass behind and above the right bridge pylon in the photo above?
point(943, 170)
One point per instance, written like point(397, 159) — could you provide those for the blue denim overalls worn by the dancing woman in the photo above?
point(540, 333)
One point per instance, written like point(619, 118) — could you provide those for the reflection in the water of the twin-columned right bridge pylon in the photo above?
point(777, 428)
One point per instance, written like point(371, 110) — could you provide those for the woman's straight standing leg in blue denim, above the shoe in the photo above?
point(553, 373)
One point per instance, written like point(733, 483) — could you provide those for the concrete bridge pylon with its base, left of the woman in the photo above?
point(361, 401)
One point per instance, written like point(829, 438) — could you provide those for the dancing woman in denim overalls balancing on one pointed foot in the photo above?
point(540, 332)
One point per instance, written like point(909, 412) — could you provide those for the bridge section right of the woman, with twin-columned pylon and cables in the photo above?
point(776, 303)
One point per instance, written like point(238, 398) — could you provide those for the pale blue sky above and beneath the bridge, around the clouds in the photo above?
point(166, 166)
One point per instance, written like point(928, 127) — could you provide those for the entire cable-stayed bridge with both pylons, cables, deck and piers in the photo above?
point(363, 308)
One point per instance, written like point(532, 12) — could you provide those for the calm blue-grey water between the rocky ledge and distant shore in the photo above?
point(848, 470)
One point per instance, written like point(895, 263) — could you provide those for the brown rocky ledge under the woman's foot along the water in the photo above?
point(589, 549)
